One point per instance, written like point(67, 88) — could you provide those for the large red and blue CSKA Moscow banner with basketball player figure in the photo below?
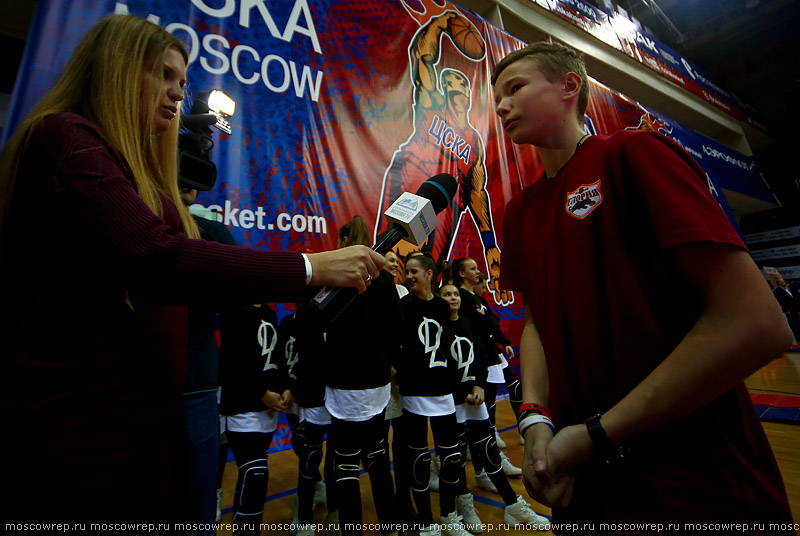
point(342, 106)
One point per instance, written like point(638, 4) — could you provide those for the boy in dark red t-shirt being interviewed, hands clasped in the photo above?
point(644, 313)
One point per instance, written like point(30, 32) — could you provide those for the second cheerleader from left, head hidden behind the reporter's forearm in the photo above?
point(301, 342)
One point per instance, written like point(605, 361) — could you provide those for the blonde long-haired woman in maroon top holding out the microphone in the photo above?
point(98, 258)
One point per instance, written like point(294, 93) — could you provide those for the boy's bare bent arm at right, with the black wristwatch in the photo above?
point(740, 329)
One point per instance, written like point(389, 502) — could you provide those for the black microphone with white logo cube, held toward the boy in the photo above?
point(412, 217)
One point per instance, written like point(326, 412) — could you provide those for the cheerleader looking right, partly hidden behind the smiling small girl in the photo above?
point(465, 275)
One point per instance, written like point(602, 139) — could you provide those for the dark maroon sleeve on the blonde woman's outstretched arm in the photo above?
point(96, 186)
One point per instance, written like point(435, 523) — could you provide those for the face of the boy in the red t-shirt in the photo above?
point(532, 109)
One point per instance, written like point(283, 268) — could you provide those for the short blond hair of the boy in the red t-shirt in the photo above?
point(554, 61)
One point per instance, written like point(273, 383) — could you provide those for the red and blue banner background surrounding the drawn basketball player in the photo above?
point(324, 98)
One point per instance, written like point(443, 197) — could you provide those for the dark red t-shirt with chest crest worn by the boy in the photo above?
point(589, 248)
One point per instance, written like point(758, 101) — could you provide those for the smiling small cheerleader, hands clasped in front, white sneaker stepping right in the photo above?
point(470, 408)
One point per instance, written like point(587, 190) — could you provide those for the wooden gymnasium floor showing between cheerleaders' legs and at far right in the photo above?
point(782, 377)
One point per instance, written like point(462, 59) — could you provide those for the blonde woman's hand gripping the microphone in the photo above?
point(353, 266)
